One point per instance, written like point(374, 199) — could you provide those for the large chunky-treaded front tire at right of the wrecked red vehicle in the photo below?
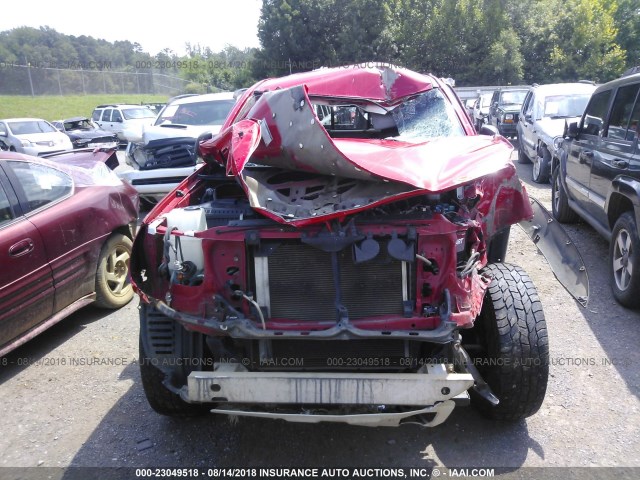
point(513, 331)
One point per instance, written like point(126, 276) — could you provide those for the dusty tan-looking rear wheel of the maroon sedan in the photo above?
point(113, 287)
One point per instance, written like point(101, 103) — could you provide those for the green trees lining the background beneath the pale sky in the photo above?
point(476, 42)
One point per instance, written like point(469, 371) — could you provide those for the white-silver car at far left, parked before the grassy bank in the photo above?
point(33, 136)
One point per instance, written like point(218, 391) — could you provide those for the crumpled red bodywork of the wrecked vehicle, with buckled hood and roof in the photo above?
point(274, 125)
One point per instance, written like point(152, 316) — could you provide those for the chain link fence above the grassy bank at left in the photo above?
point(45, 80)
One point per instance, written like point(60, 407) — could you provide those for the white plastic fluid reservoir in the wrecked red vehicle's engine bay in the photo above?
point(188, 220)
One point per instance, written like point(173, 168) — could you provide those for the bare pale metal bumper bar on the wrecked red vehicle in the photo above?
point(313, 397)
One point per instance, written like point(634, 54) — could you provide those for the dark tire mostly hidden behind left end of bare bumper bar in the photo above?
point(160, 398)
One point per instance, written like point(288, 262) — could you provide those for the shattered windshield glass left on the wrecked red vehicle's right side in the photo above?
point(426, 116)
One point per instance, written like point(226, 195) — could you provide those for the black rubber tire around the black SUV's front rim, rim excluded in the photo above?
point(628, 297)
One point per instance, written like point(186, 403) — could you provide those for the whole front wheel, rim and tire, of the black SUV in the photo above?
point(624, 255)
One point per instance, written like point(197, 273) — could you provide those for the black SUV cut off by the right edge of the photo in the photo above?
point(597, 177)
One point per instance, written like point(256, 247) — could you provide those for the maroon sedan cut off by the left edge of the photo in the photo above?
point(66, 226)
